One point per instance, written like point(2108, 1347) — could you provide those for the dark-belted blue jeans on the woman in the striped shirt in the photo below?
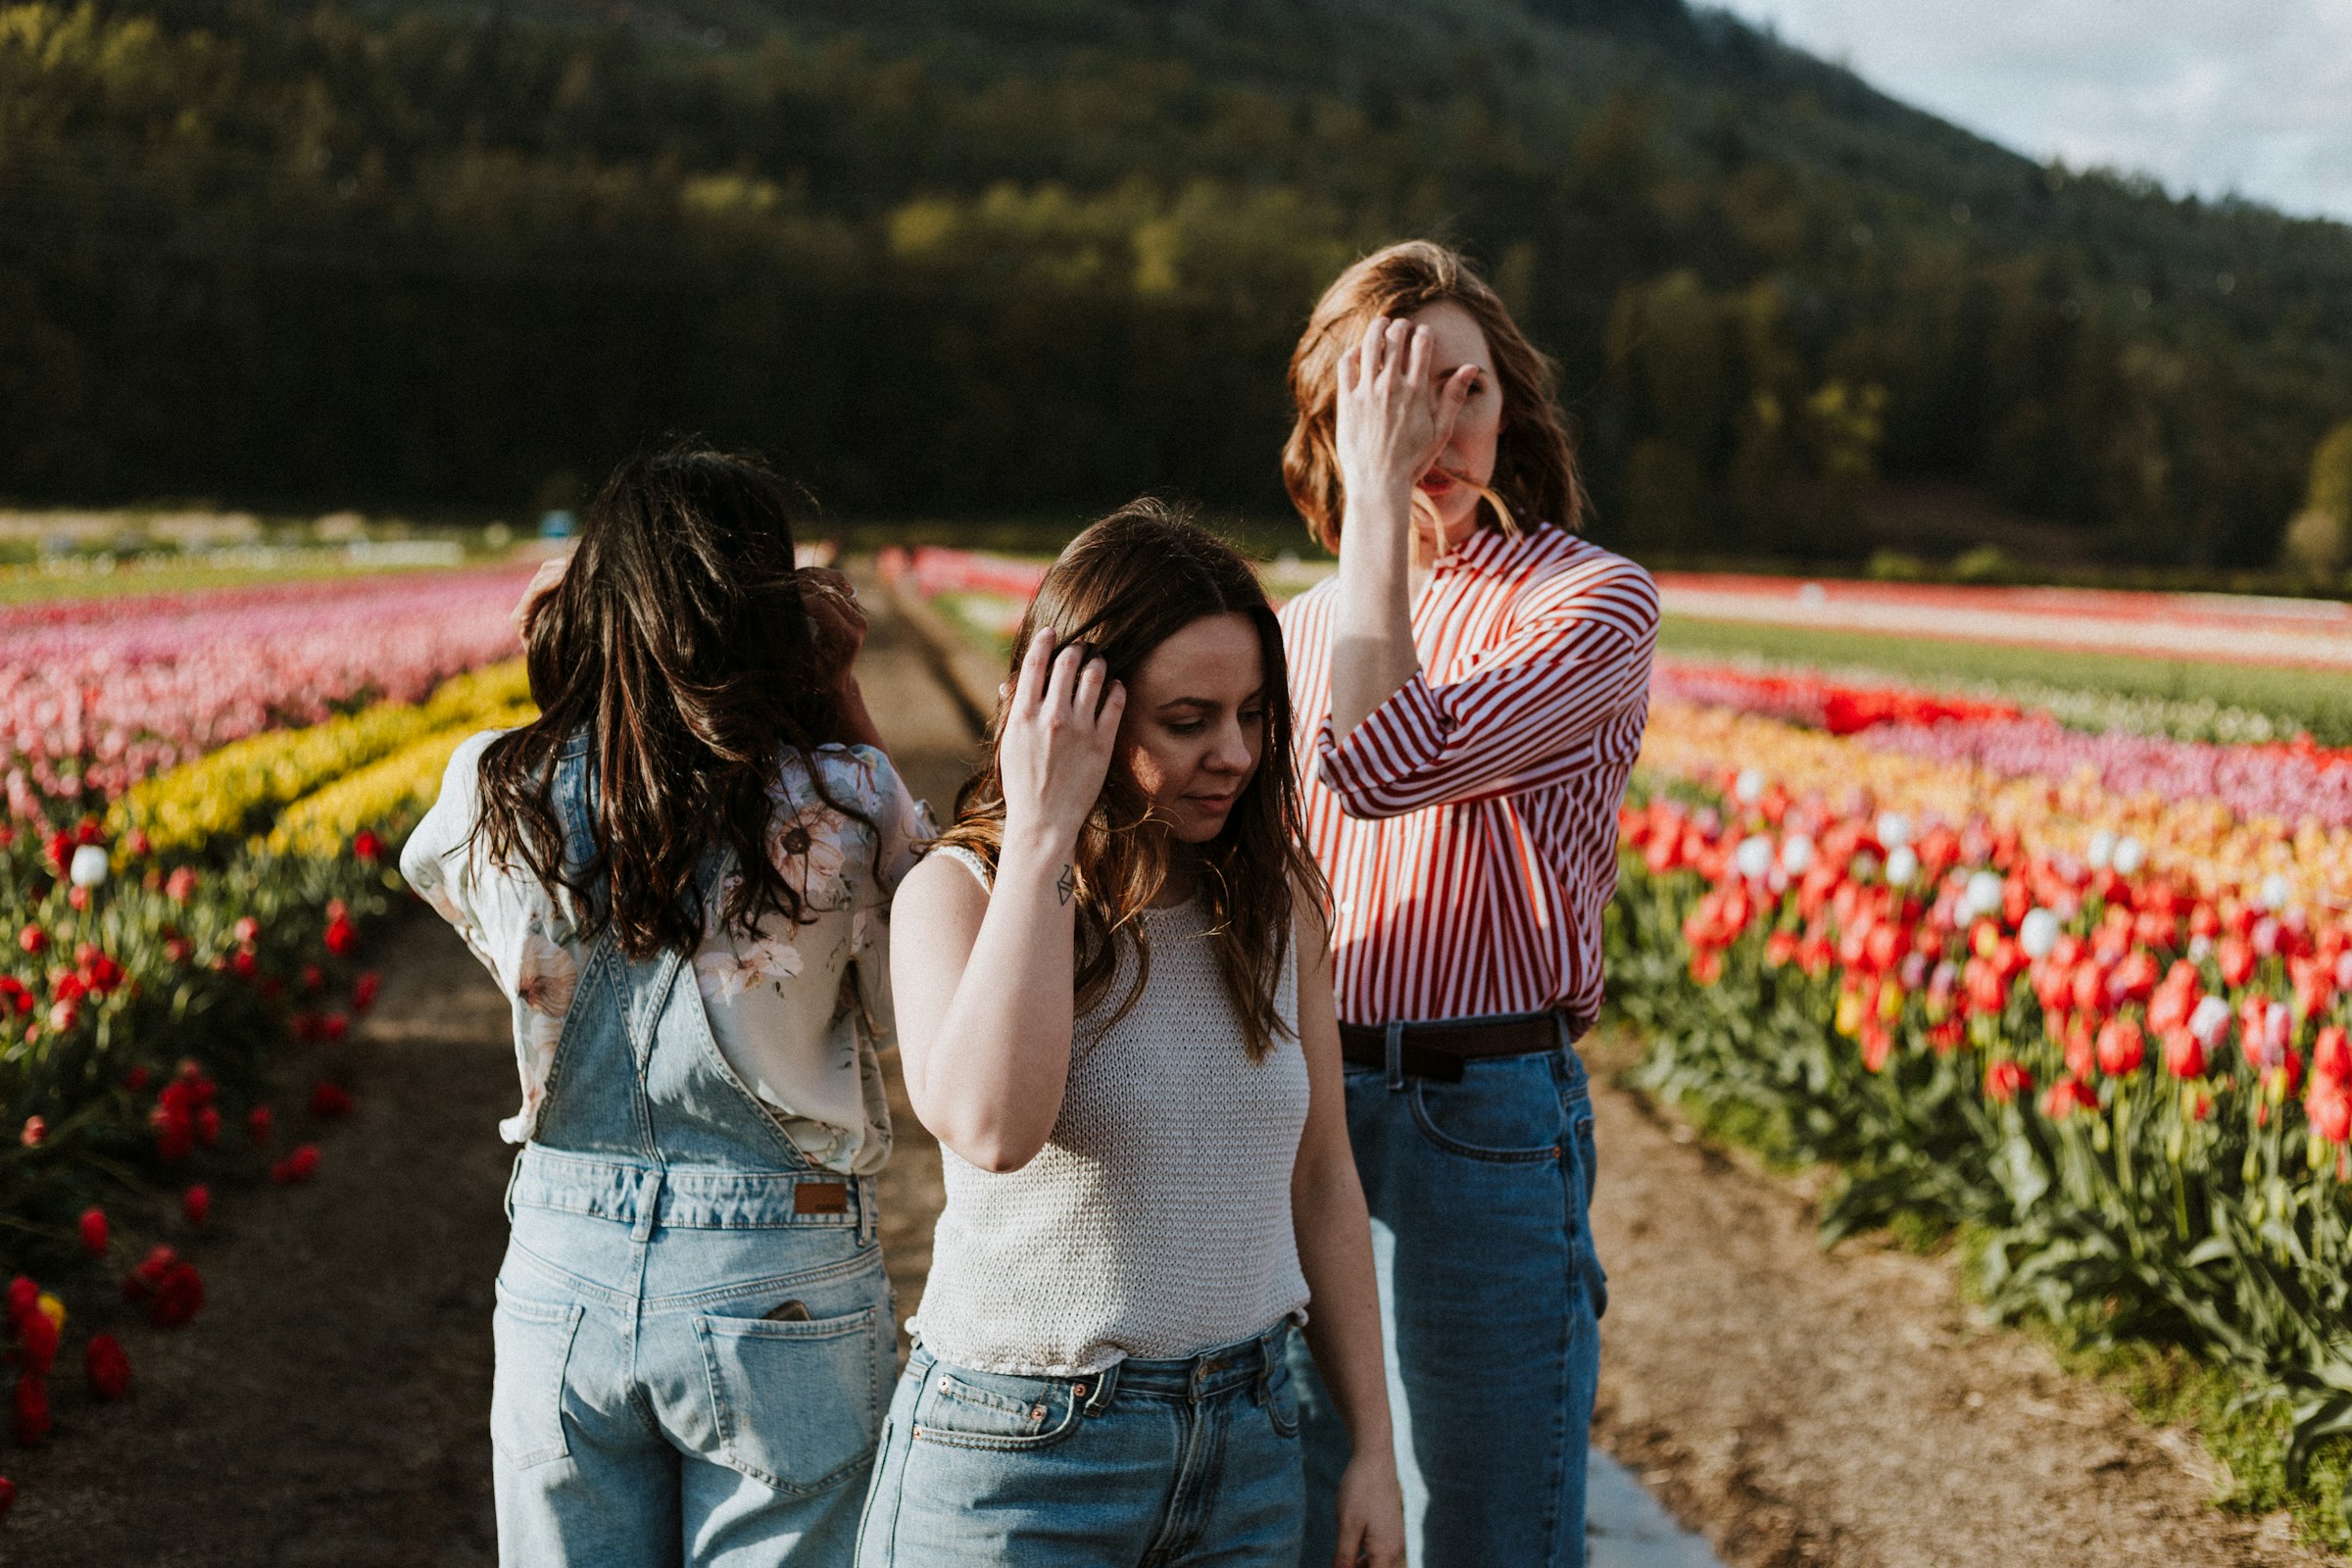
point(1490, 1306)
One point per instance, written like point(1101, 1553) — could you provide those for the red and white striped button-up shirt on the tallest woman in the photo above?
point(1469, 826)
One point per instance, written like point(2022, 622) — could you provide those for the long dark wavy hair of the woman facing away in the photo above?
point(681, 643)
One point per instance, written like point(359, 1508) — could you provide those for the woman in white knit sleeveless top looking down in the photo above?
point(1116, 1014)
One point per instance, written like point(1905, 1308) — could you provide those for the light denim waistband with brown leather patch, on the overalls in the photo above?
point(641, 1195)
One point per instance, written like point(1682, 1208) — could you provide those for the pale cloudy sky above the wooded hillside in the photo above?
point(2247, 98)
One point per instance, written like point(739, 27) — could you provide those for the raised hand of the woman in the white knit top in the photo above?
point(1055, 744)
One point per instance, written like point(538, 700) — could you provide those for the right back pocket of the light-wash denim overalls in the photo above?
point(796, 1405)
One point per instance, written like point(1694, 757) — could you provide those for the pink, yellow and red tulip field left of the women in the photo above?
point(201, 800)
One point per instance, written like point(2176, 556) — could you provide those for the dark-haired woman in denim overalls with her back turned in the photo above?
point(695, 1332)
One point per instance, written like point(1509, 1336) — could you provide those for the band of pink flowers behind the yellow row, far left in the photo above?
point(102, 695)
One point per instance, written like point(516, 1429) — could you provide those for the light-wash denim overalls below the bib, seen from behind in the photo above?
point(648, 1407)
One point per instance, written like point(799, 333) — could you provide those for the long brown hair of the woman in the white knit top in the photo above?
point(1125, 587)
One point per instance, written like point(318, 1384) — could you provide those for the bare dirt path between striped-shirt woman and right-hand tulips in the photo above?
point(1845, 1412)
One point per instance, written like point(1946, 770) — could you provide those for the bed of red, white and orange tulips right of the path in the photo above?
point(2052, 991)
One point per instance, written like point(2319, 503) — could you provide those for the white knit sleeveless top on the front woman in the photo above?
point(1158, 1217)
